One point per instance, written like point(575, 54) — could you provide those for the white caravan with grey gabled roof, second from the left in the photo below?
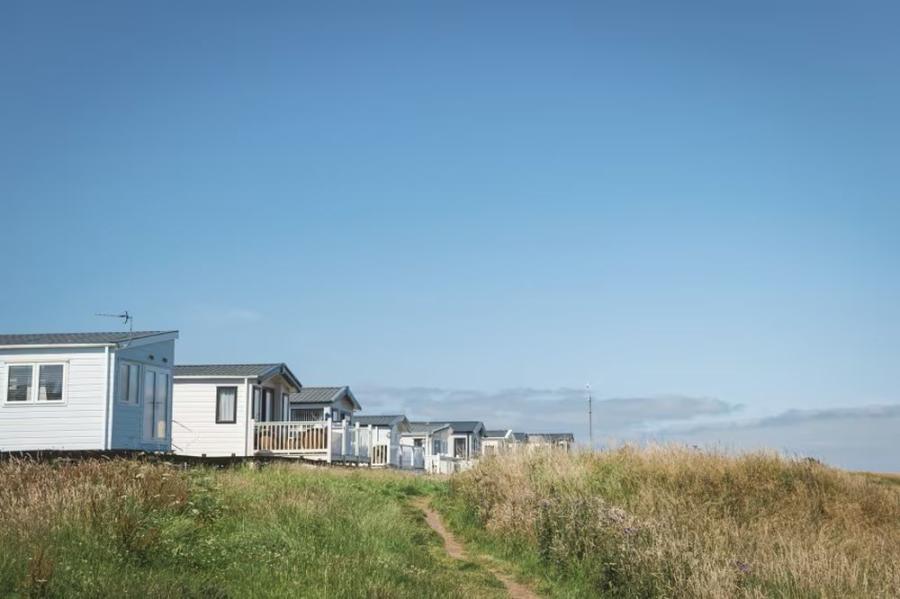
point(223, 409)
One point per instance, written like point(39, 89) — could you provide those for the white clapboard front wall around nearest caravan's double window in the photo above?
point(78, 424)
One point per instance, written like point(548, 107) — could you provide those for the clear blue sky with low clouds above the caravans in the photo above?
point(471, 210)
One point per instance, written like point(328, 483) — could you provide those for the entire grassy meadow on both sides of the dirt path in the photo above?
point(658, 522)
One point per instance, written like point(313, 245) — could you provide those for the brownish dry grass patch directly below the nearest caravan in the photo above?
point(41, 504)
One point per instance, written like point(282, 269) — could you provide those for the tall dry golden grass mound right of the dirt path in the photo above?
point(675, 522)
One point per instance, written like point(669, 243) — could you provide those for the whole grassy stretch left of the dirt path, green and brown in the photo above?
point(124, 528)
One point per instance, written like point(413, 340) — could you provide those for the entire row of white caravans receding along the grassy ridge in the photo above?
point(123, 391)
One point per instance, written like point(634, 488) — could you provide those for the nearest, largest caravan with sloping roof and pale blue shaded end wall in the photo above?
point(86, 391)
